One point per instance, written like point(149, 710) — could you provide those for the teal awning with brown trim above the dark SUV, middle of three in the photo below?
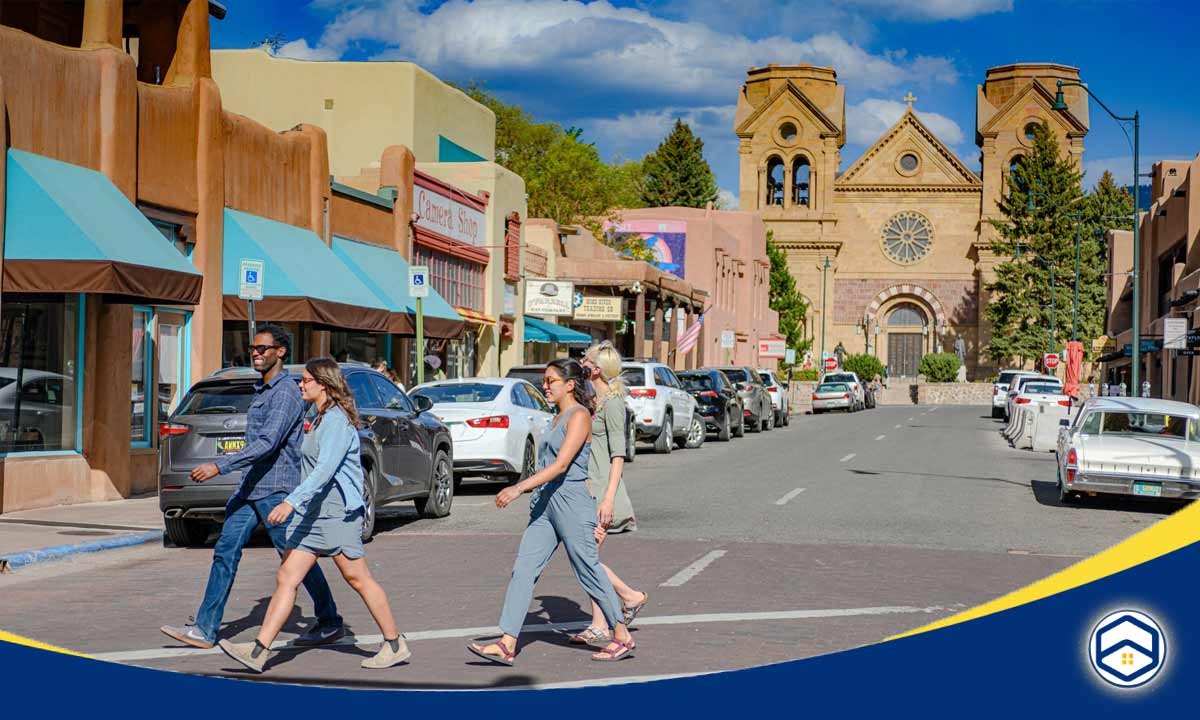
point(303, 279)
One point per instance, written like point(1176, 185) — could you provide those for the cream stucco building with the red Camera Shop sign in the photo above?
point(368, 107)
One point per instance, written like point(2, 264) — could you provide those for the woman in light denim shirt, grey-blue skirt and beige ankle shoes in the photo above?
point(325, 519)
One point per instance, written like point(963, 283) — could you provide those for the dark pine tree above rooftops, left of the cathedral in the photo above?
point(677, 173)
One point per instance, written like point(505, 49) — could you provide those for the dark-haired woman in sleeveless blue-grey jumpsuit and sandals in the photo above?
point(562, 512)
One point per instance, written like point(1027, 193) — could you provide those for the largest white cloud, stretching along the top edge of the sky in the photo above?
point(598, 46)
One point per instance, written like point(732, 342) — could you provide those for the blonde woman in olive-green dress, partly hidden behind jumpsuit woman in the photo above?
point(615, 513)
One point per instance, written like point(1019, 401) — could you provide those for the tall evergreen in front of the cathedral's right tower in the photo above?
point(1036, 232)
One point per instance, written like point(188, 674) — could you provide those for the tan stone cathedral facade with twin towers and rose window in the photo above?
point(893, 254)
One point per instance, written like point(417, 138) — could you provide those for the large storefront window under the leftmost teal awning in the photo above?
point(40, 368)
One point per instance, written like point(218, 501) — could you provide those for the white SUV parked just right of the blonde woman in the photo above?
point(664, 411)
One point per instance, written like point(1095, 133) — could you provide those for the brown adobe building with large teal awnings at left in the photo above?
point(129, 196)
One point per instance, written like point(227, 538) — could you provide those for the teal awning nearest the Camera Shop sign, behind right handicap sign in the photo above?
point(386, 272)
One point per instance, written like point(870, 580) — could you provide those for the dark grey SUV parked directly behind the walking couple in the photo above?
point(407, 453)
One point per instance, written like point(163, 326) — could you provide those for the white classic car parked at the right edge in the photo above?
point(1131, 446)
